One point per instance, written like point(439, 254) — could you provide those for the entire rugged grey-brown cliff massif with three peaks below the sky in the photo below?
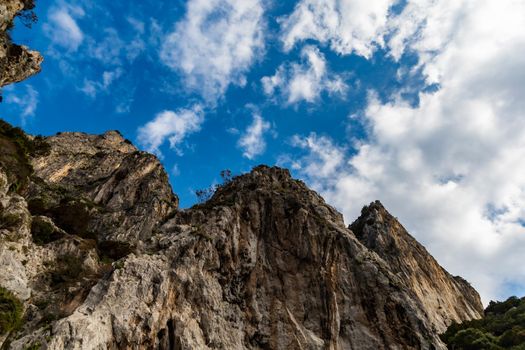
point(93, 243)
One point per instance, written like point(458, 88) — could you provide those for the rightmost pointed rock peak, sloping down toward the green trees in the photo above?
point(444, 297)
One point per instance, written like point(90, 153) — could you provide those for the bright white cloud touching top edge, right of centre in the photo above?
point(348, 26)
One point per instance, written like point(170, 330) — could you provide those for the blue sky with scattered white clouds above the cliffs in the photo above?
point(417, 103)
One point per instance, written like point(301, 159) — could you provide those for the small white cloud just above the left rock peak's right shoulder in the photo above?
point(171, 126)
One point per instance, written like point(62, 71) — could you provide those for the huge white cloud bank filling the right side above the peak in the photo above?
point(451, 168)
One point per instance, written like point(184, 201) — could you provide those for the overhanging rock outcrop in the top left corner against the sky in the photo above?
point(16, 62)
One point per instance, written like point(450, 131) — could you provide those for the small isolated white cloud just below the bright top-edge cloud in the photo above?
point(304, 81)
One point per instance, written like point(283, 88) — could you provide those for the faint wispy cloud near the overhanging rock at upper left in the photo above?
point(62, 28)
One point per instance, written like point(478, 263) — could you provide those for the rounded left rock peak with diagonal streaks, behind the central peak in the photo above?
point(128, 190)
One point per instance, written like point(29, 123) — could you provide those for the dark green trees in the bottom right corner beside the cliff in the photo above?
point(502, 327)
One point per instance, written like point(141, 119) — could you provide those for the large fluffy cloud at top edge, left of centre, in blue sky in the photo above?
point(215, 44)
